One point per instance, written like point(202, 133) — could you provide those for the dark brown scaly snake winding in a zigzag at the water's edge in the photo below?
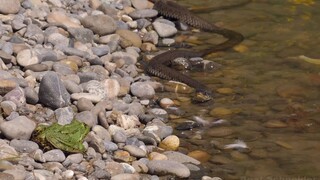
point(158, 65)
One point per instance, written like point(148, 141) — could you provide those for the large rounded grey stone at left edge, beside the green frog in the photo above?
point(20, 127)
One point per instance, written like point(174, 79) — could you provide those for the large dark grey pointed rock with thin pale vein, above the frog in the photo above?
point(52, 92)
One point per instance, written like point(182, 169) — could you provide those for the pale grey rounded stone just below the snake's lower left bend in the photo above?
point(142, 90)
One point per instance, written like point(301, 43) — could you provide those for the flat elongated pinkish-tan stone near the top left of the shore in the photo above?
point(59, 17)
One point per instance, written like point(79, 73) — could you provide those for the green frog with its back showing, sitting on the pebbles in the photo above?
point(68, 138)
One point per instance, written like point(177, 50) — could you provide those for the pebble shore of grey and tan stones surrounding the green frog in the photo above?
point(65, 59)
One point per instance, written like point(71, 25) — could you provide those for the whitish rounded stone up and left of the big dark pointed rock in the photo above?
point(27, 57)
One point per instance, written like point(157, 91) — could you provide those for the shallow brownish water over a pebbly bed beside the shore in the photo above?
point(272, 103)
